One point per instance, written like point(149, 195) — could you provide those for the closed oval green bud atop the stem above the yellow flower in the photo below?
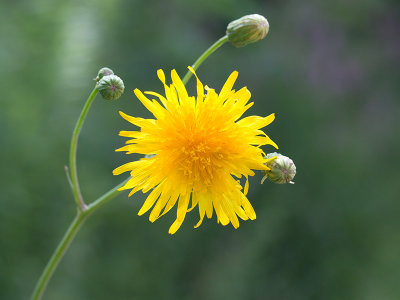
point(246, 30)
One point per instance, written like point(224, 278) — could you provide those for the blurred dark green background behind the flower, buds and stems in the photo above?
point(328, 69)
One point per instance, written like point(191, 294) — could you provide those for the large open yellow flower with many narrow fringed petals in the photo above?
point(195, 149)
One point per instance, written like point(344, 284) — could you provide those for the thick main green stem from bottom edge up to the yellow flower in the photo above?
point(68, 238)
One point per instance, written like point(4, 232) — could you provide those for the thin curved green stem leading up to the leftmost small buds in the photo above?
point(72, 152)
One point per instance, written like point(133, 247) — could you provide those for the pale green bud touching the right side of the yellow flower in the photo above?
point(282, 168)
